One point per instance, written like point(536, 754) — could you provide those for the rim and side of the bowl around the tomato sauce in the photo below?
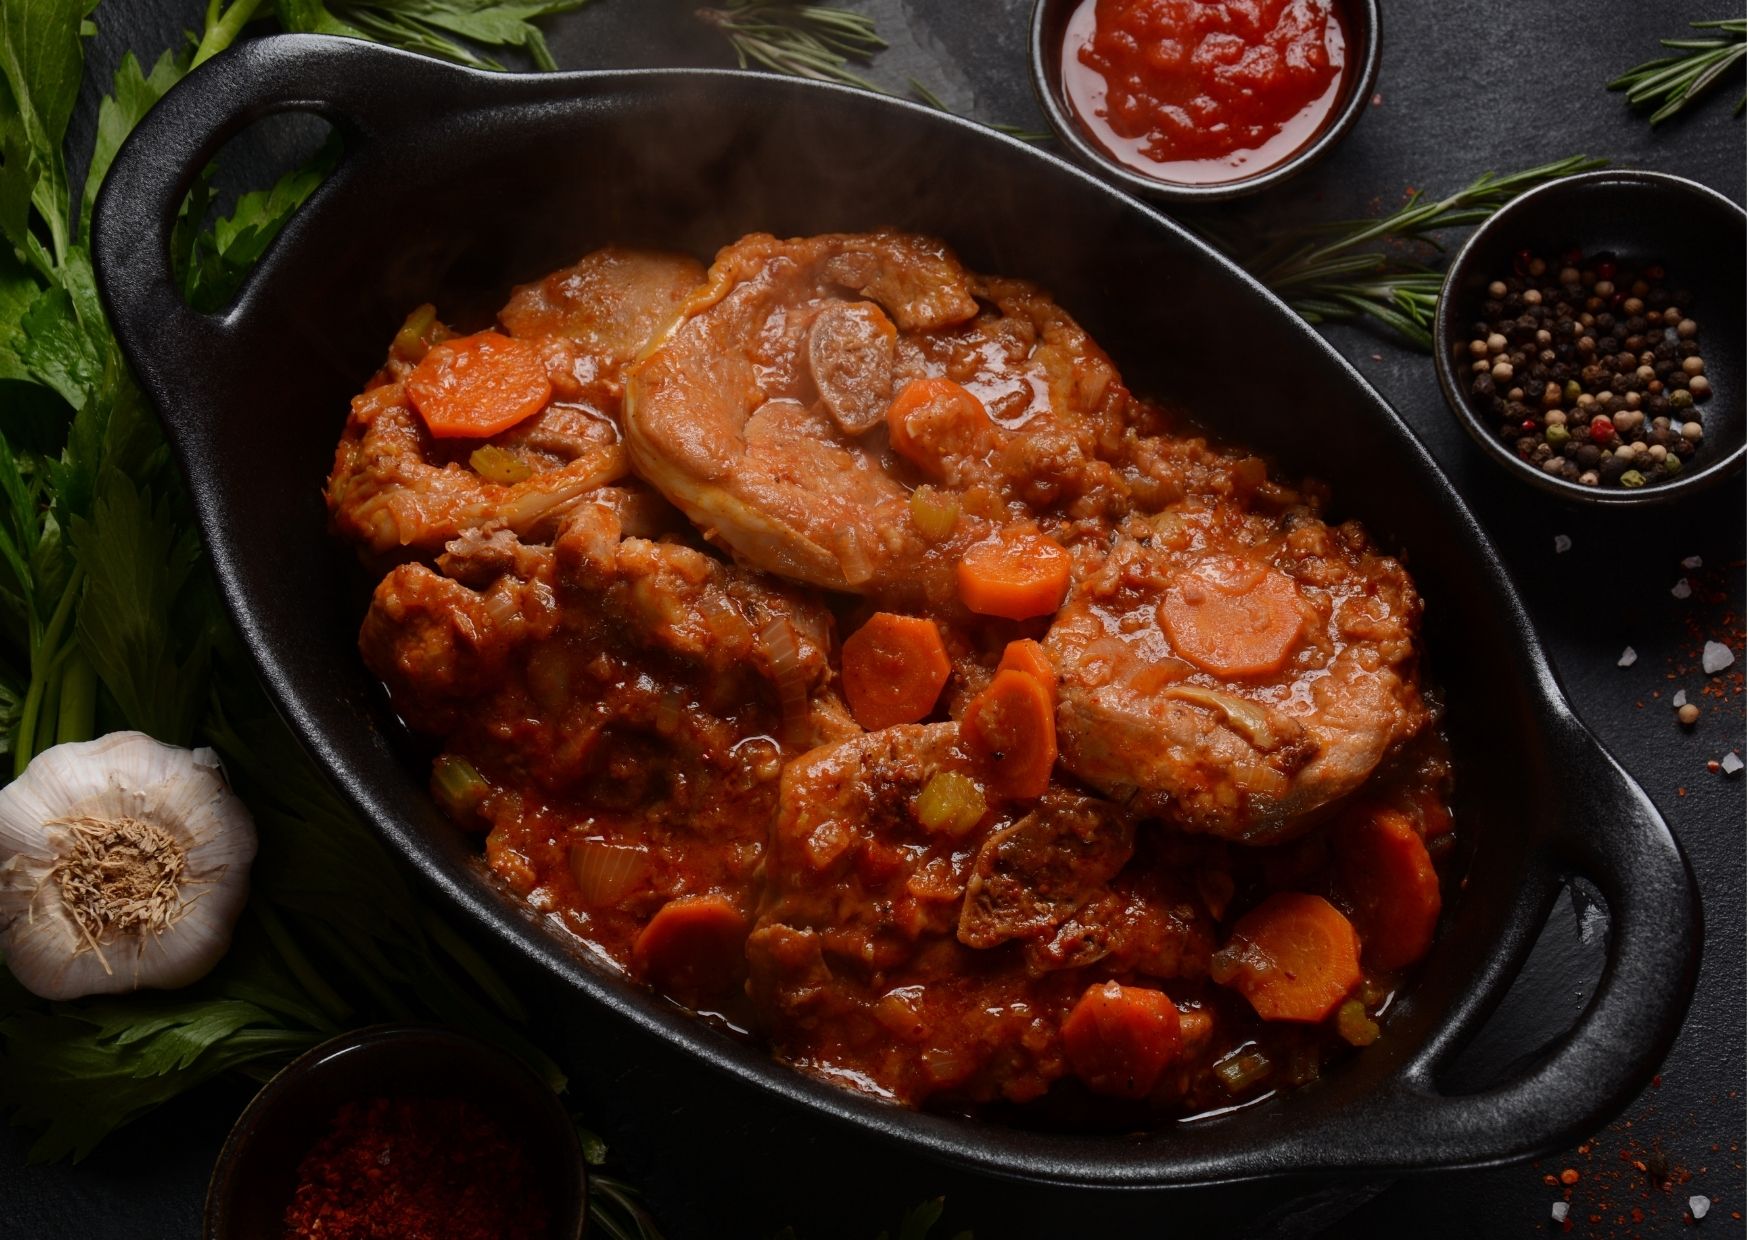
point(1366, 46)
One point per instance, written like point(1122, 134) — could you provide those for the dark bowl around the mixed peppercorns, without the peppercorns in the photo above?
point(1695, 233)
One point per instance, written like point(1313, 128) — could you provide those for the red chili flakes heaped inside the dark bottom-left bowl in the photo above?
point(417, 1169)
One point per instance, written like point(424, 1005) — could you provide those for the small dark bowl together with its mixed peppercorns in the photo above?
point(1590, 337)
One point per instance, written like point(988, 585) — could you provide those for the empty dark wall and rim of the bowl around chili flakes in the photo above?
point(258, 1169)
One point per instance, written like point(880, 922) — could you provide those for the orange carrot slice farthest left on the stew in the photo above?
point(478, 386)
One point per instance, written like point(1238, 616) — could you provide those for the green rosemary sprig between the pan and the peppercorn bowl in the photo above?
point(1331, 274)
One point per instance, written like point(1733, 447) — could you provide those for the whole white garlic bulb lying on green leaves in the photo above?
point(123, 865)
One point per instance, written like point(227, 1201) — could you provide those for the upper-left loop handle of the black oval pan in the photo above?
point(359, 88)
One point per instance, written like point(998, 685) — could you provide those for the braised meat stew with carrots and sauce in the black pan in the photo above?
point(833, 643)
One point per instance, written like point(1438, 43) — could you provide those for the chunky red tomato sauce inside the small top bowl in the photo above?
point(1203, 92)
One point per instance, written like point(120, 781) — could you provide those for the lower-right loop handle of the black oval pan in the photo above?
point(1613, 835)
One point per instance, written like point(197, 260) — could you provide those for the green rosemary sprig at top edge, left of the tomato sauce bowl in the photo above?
point(798, 39)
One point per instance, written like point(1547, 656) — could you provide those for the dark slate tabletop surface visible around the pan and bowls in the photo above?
point(1464, 88)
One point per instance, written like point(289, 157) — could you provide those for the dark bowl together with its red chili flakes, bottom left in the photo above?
point(401, 1134)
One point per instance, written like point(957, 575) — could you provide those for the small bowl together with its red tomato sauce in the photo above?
point(1197, 101)
